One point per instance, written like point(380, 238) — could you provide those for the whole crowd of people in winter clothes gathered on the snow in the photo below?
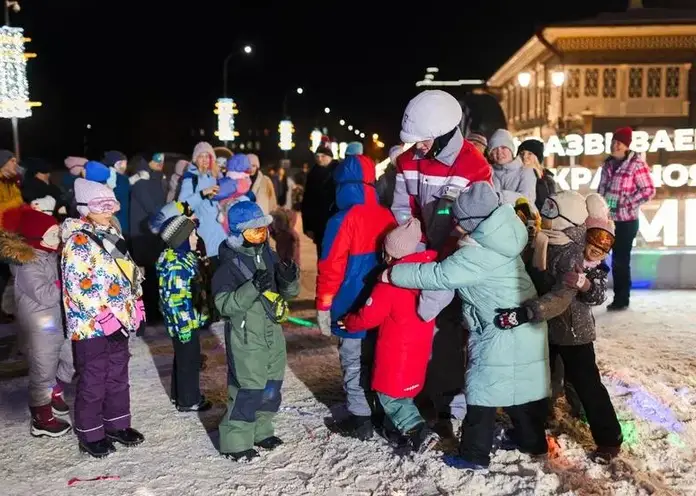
point(460, 282)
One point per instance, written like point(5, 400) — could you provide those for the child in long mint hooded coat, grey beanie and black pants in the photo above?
point(505, 369)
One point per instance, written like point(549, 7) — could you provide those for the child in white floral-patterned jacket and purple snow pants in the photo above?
point(101, 299)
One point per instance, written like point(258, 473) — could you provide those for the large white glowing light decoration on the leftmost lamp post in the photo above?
point(14, 87)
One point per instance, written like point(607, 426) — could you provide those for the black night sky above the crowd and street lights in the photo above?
point(146, 73)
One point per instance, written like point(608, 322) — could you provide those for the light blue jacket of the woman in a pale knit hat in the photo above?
point(206, 210)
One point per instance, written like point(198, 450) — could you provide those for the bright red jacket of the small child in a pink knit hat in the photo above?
point(404, 341)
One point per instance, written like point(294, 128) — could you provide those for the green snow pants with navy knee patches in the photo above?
point(255, 369)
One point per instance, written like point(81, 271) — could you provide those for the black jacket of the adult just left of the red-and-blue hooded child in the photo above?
point(319, 199)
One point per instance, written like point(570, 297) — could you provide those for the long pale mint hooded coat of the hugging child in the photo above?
point(505, 367)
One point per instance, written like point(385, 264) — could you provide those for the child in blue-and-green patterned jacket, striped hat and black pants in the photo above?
point(178, 273)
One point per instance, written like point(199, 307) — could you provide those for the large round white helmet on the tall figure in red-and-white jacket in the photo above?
point(431, 114)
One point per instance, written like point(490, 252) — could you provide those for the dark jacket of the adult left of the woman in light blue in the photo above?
point(147, 197)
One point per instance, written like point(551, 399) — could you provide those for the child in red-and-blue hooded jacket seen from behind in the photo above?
point(350, 249)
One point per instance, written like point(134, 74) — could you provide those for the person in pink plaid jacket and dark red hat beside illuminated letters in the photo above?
point(625, 184)
